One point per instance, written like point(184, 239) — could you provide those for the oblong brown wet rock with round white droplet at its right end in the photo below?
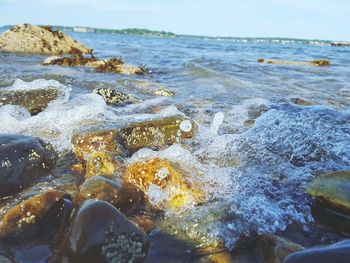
point(156, 134)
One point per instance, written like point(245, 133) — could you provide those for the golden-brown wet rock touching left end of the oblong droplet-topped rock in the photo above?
point(87, 142)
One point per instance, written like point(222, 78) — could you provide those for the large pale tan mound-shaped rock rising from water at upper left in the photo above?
point(39, 39)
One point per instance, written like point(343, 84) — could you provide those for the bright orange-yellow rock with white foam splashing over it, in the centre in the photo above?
point(164, 183)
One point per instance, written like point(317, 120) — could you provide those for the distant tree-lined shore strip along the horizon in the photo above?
point(165, 34)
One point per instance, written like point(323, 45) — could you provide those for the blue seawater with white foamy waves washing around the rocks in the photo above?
point(254, 175)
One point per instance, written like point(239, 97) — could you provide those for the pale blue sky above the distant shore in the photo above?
point(311, 19)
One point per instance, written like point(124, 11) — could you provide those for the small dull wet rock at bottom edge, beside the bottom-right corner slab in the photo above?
point(274, 249)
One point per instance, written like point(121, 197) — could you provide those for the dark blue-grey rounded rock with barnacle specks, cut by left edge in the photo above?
point(23, 160)
